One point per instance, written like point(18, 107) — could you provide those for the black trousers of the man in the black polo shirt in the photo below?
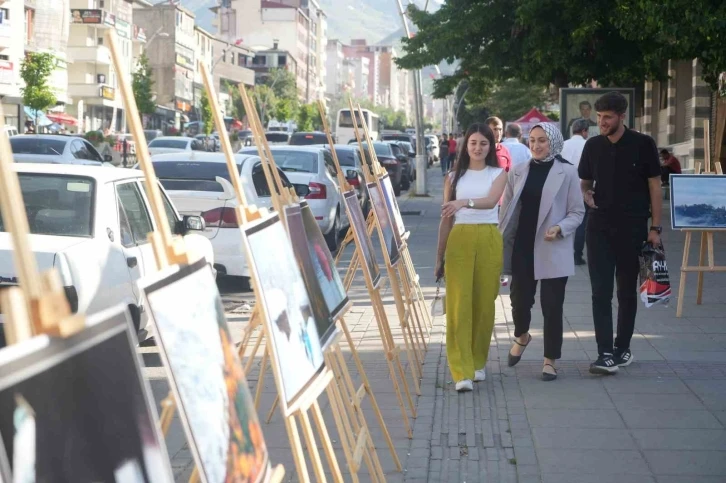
point(613, 247)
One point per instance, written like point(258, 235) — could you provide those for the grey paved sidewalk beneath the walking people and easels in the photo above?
point(662, 419)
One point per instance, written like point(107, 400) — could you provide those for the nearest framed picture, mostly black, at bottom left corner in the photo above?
point(78, 408)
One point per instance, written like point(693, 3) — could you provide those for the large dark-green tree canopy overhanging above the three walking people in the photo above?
point(555, 42)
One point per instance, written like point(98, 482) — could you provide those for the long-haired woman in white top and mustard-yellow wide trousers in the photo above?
point(469, 253)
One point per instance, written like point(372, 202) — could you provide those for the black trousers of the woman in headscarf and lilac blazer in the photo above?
point(552, 298)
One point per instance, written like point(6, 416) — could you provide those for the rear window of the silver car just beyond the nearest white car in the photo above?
point(191, 175)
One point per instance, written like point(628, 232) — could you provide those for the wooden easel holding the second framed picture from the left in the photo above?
point(168, 250)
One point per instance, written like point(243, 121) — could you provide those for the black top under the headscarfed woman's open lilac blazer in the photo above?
point(529, 213)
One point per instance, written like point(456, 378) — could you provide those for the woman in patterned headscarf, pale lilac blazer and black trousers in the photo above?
point(541, 210)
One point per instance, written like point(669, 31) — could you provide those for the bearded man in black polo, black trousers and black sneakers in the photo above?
point(620, 174)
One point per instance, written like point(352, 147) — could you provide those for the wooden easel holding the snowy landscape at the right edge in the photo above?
point(706, 236)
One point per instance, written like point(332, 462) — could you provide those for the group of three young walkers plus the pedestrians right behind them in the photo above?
point(528, 212)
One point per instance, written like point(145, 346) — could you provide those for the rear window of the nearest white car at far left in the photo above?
point(57, 205)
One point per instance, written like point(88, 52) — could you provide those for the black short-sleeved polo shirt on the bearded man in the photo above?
point(620, 172)
